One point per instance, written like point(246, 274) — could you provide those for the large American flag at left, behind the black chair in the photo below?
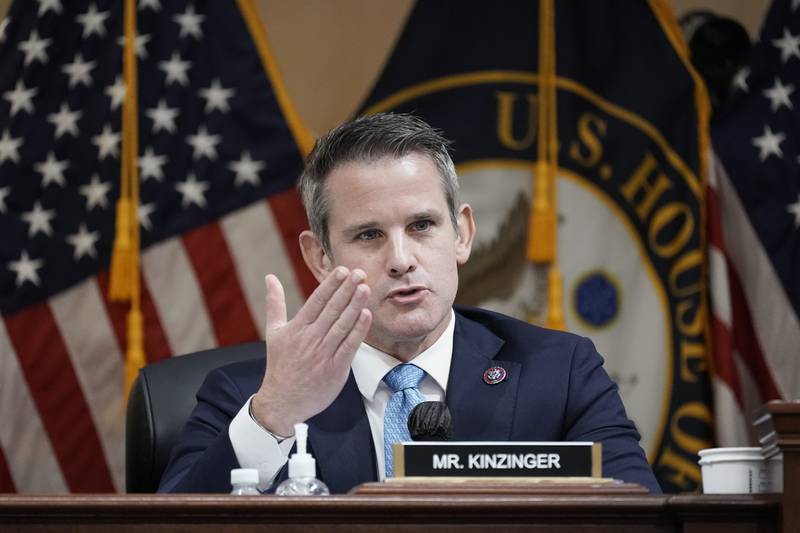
point(218, 161)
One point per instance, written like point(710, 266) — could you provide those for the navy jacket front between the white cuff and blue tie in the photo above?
point(341, 441)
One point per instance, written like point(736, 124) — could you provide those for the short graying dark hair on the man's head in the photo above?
point(368, 139)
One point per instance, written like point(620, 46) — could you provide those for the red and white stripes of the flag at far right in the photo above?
point(755, 332)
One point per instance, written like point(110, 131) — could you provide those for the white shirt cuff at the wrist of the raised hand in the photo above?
point(257, 448)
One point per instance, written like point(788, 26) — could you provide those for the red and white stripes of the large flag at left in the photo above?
point(61, 361)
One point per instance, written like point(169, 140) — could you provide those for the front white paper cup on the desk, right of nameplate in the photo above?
point(734, 471)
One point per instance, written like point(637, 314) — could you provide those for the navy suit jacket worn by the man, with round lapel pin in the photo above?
point(555, 390)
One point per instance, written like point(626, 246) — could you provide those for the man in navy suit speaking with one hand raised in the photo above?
point(387, 235)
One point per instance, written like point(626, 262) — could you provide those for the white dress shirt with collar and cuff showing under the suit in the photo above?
point(257, 448)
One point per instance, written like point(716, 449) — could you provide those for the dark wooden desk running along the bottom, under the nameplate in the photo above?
point(554, 512)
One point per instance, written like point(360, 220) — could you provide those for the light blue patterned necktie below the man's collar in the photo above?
point(403, 380)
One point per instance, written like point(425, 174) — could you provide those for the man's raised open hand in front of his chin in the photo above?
point(309, 357)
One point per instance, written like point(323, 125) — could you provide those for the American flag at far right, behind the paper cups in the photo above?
point(754, 214)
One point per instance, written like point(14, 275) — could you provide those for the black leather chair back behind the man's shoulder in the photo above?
point(160, 401)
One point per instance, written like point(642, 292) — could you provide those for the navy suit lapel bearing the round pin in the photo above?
point(480, 411)
